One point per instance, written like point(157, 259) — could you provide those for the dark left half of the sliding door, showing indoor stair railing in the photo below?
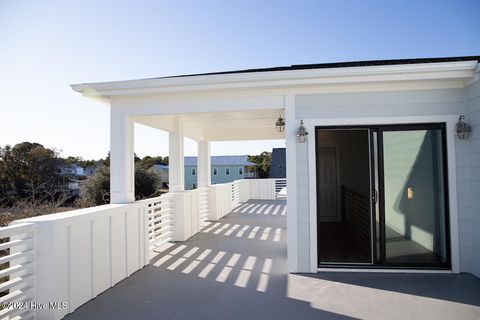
point(343, 196)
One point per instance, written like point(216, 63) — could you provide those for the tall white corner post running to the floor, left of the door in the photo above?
point(291, 158)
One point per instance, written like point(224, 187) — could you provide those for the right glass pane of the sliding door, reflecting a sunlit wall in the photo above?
point(414, 197)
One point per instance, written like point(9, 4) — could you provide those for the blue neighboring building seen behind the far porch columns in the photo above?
point(224, 169)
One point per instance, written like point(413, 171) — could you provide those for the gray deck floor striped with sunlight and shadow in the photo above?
point(224, 273)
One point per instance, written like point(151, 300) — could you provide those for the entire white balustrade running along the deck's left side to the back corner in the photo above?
point(71, 257)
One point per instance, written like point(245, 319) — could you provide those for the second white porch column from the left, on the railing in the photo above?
point(176, 167)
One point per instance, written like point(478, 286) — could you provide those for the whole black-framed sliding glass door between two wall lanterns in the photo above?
point(389, 206)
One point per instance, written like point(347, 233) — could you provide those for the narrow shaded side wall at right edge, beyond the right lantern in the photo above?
point(470, 174)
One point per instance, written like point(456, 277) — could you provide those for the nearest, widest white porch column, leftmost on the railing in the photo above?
point(122, 165)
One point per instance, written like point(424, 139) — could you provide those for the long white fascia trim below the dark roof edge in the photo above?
point(287, 78)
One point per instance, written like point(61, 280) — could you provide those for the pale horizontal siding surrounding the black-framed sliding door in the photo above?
point(400, 104)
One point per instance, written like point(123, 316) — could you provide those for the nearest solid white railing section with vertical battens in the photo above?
point(81, 253)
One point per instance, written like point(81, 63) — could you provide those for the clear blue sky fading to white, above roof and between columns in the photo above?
point(47, 45)
